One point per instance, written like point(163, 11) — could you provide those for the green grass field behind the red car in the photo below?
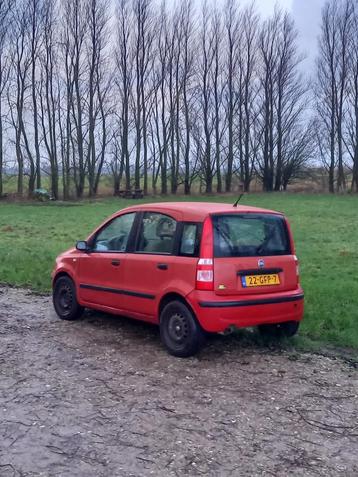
point(325, 229)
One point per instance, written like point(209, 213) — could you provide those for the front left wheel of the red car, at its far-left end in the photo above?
point(65, 300)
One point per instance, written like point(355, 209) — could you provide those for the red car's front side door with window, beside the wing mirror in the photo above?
point(101, 271)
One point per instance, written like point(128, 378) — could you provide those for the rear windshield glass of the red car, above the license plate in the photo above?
point(250, 235)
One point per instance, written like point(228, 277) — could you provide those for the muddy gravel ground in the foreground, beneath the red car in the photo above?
point(100, 397)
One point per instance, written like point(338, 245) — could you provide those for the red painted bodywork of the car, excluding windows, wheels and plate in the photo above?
point(137, 285)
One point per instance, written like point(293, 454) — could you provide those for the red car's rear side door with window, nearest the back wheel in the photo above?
point(149, 269)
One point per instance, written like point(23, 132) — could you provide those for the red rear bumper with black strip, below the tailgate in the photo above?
point(216, 314)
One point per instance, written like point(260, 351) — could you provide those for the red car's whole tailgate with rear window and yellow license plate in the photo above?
point(252, 254)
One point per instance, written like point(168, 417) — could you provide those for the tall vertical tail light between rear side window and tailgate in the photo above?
point(205, 267)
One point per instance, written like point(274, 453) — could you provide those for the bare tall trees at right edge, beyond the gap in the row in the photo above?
point(336, 93)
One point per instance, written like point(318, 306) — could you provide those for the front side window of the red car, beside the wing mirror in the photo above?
point(114, 236)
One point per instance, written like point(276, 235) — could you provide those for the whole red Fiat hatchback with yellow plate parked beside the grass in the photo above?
point(190, 267)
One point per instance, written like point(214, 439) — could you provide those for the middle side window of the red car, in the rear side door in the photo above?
point(156, 233)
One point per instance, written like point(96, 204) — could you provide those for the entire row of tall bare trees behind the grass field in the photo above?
point(161, 98)
